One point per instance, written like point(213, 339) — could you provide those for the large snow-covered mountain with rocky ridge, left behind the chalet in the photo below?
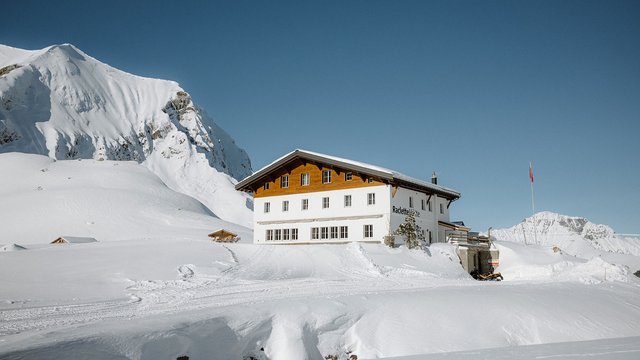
point(62, 103)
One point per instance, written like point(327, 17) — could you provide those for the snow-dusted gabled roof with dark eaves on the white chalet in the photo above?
point(349, 164)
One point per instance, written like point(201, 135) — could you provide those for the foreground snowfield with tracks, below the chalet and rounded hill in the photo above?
point(217, 301)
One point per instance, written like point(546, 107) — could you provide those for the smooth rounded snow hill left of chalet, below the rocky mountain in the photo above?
point(43, 199)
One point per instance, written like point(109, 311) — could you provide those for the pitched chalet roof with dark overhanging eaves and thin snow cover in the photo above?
point(384, 174)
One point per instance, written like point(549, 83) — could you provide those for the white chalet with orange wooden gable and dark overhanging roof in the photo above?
point(307, 197)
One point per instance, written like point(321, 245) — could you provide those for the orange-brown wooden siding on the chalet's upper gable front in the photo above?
point(338, 181)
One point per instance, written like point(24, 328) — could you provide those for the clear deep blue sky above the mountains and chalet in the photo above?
point(471, 89)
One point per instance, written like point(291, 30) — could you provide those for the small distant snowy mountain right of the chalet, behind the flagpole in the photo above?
point(574, 235)
